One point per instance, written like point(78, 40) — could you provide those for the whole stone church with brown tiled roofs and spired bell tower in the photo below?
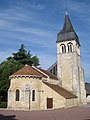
point(61, 86)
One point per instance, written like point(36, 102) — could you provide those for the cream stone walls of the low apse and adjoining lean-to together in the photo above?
point(42, 92)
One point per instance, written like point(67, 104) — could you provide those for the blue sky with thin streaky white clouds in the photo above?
point(35, 23)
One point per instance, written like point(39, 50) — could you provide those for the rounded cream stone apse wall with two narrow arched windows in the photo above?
point(25, 85)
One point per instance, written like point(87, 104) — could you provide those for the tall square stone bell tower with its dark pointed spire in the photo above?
point(69, 69)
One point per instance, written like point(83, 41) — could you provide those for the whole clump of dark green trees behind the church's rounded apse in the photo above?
point(14, 63)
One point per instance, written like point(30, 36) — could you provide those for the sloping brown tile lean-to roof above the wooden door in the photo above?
point(66, 94)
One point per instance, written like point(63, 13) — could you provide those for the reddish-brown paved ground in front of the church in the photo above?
point(76, 113)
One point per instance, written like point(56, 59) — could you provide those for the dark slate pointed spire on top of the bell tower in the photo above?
point(67, 33)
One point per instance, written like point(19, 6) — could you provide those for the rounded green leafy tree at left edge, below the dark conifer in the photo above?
point(6, 69)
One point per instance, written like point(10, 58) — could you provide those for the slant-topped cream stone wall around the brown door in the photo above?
point(58, 100)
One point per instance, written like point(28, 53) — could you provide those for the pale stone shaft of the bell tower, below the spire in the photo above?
point(70, 71)
